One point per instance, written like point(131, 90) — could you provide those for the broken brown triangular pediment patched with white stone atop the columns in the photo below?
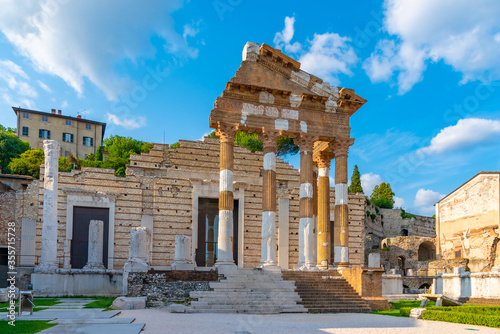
point(270, 91)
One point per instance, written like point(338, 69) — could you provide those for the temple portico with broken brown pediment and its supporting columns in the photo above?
point(271, 96)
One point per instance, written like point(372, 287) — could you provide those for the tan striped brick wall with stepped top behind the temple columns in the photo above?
point(160, 184)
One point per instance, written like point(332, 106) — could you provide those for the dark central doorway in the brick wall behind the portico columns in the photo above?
point(208, 229)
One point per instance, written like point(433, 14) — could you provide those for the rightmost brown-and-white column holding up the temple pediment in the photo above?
point(341, 223)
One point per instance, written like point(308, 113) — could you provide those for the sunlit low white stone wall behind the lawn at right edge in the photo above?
point(462, 284)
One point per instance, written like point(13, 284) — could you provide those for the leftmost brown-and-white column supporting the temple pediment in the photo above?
point(226, 133)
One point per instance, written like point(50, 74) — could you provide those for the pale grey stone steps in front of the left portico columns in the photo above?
point(248, 291)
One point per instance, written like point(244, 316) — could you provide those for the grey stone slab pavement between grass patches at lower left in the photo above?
point(71, 317)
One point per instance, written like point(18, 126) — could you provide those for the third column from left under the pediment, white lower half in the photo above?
point(306, 204)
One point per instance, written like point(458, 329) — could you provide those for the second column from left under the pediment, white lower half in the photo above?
point(268, 243)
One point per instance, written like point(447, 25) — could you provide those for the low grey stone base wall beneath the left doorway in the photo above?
point(76, 282)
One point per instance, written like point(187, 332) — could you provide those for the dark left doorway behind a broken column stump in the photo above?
point(80, 238)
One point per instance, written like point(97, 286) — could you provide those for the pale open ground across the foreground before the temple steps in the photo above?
point(160, 321)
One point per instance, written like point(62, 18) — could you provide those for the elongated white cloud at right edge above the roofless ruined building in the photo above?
point(467, 132)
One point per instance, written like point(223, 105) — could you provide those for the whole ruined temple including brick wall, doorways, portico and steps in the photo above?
point(211, 205)
